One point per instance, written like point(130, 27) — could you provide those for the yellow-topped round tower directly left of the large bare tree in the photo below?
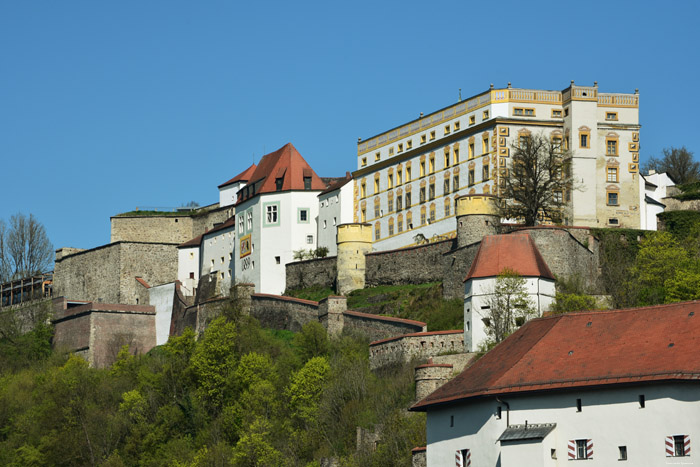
point(477, 216)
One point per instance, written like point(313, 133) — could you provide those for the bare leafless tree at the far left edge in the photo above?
point(25, 249)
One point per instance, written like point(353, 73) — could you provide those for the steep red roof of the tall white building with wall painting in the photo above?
point(287, 164)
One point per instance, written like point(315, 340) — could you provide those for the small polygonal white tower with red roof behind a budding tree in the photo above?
point(516, 252)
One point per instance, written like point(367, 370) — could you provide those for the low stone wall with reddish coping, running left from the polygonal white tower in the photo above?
point(420, 345)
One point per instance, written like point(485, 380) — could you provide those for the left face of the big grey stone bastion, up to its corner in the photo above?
point(90, 275)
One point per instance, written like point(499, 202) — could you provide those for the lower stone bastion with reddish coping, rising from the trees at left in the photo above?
point(98, 331)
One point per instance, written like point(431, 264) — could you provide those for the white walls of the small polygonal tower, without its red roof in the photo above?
point(477, 294)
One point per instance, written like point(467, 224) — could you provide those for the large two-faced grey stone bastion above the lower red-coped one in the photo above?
point(107, 274)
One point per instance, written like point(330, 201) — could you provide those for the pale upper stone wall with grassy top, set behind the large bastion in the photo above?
point(155, 229)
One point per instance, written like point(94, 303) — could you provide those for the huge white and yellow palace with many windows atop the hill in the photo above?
point(408, 178)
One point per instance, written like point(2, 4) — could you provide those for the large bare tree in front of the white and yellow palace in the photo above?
point(539, 177)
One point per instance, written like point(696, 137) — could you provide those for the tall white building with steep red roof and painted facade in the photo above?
point(276, 214)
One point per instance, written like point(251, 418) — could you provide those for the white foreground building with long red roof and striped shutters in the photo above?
point(603, 386)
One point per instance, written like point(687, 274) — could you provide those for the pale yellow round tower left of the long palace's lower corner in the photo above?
point(354, 241)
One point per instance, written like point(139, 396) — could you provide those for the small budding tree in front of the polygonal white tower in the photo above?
point(509, 306)
